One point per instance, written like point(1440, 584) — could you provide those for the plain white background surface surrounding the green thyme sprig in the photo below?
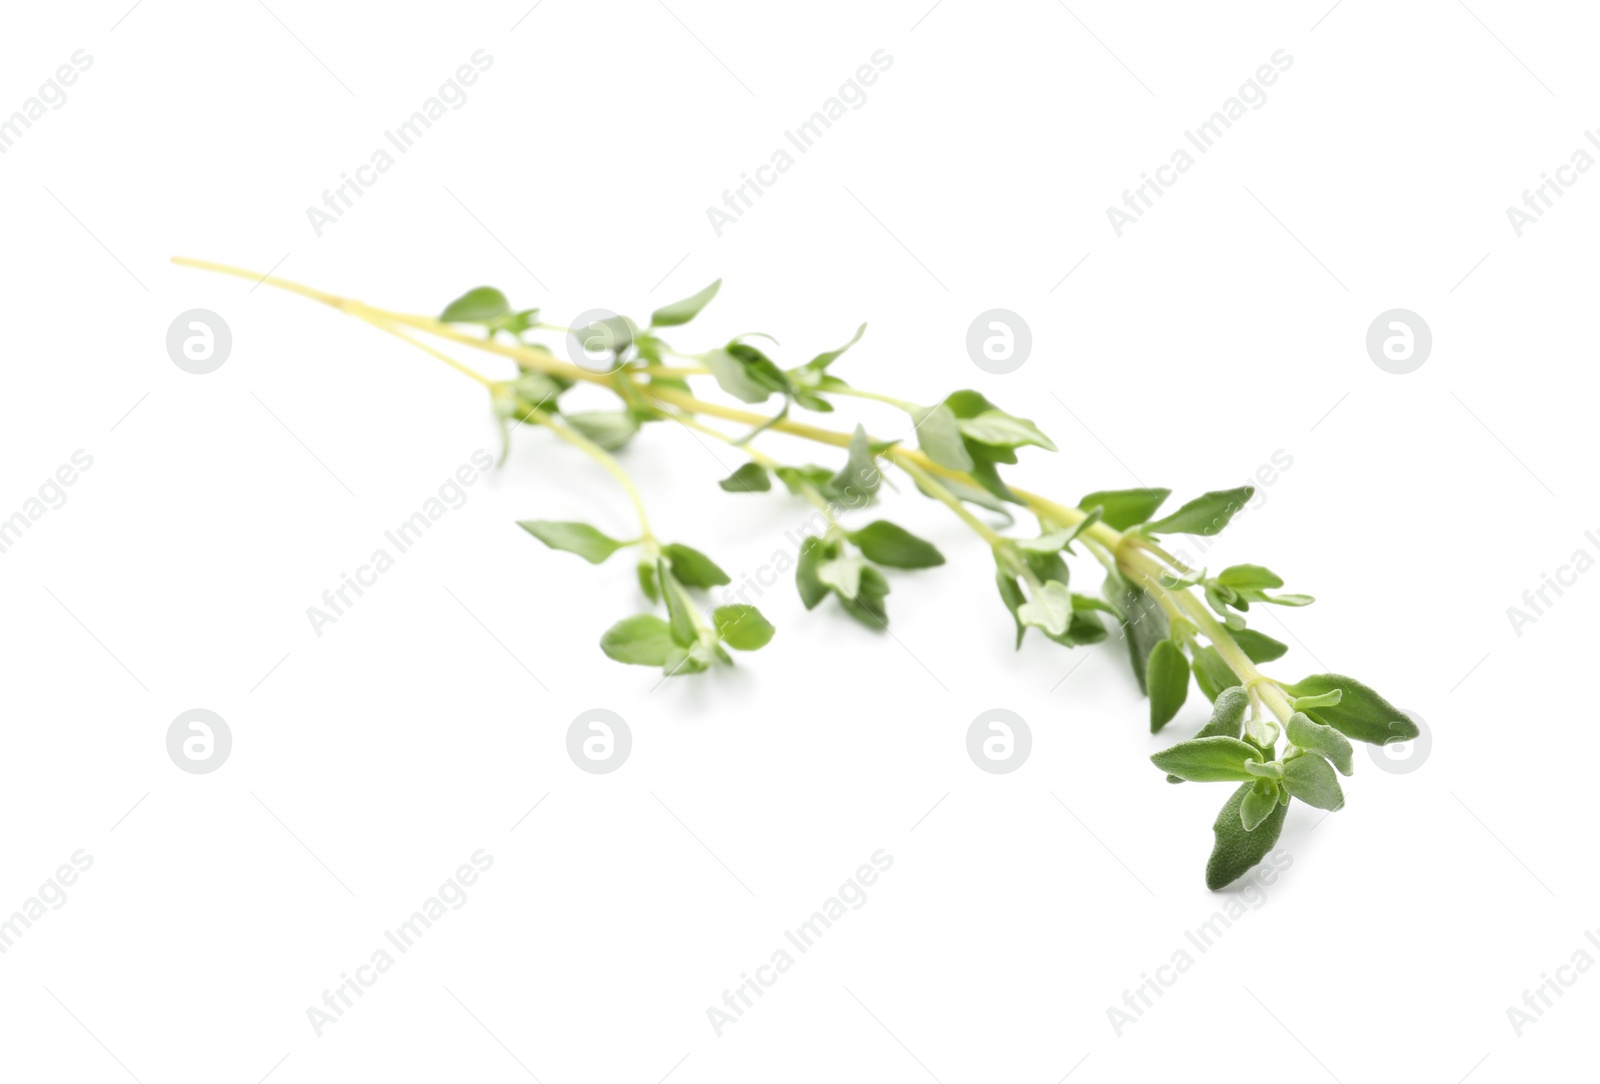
point(369, 763)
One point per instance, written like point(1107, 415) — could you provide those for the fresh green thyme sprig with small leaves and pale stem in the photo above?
point(1276, 741)
